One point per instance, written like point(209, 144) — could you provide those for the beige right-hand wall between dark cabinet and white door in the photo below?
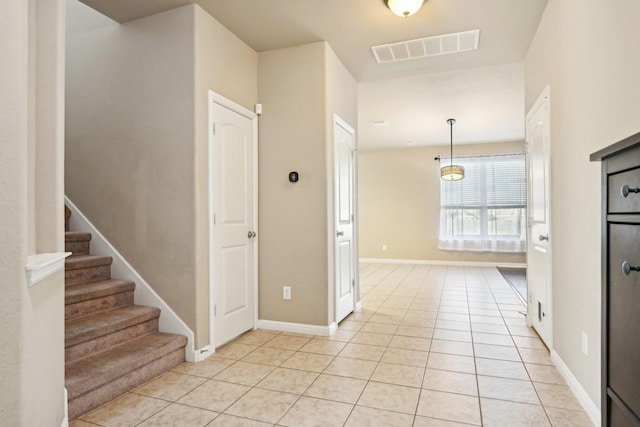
point(586, 52)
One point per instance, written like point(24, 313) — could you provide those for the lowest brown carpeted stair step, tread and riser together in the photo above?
point(97, 379)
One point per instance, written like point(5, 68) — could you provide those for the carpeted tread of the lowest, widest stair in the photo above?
point(89, 373)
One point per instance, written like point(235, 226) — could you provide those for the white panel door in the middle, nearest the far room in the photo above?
point(344, 144)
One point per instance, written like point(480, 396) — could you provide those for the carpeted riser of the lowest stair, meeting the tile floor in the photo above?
point(129, 380)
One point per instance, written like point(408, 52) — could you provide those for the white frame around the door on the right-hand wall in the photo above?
point(543, 100)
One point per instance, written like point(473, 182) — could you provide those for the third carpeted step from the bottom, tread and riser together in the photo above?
point(94, 297)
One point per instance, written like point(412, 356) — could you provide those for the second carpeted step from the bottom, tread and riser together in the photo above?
point(95, 333)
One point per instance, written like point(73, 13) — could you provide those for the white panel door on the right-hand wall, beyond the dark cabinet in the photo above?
point(539, 240)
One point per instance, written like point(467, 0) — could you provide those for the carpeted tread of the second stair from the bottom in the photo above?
point(101, 324)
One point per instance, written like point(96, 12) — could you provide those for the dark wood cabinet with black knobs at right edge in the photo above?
point(620, 282)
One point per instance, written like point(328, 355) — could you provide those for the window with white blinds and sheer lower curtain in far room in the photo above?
point(485, 211)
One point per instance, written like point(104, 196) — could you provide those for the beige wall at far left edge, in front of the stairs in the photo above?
point(31, 211)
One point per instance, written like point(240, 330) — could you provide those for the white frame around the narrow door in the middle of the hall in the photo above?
point(337, 120)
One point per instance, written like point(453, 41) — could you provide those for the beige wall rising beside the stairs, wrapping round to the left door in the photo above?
point(136, 140)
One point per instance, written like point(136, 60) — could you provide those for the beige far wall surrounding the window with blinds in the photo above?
point(399, 196)
